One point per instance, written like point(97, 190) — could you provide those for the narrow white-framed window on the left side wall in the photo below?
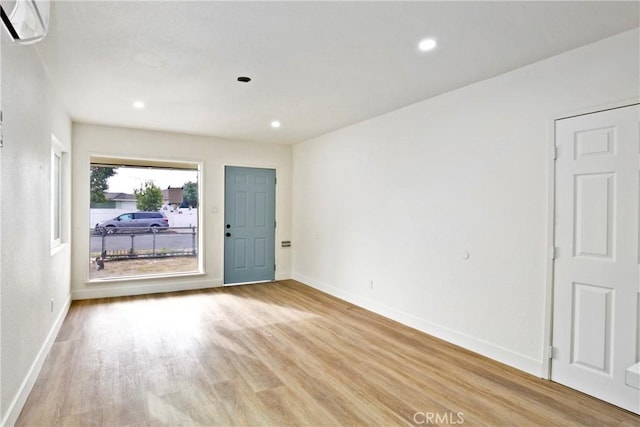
point(58, 160)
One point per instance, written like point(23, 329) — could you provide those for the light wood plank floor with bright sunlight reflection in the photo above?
point(279, 354)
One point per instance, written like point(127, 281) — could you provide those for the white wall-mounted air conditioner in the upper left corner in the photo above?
point(26, 21)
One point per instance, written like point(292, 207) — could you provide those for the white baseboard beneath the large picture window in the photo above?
point(129, 288)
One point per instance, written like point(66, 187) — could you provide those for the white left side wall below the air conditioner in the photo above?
point(31, 275)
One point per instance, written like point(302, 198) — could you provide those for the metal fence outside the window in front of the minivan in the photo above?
point(133, 242)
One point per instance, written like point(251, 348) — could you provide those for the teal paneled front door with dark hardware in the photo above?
point(250, 225)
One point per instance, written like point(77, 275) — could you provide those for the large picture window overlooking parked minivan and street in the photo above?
point(143, 218)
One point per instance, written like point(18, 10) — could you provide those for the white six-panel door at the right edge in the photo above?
point(596, 281)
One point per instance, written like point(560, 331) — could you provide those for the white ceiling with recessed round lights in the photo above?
point(316, 66)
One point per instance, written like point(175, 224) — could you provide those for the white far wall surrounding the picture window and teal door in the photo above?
point(214, 154)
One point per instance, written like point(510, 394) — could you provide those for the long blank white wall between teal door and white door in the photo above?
point(401, 198)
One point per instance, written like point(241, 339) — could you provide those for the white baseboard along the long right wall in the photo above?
point(502, 355)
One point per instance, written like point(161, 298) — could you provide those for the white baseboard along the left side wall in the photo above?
point(16, 405)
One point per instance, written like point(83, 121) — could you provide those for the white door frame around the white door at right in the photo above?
point(551, 211)
